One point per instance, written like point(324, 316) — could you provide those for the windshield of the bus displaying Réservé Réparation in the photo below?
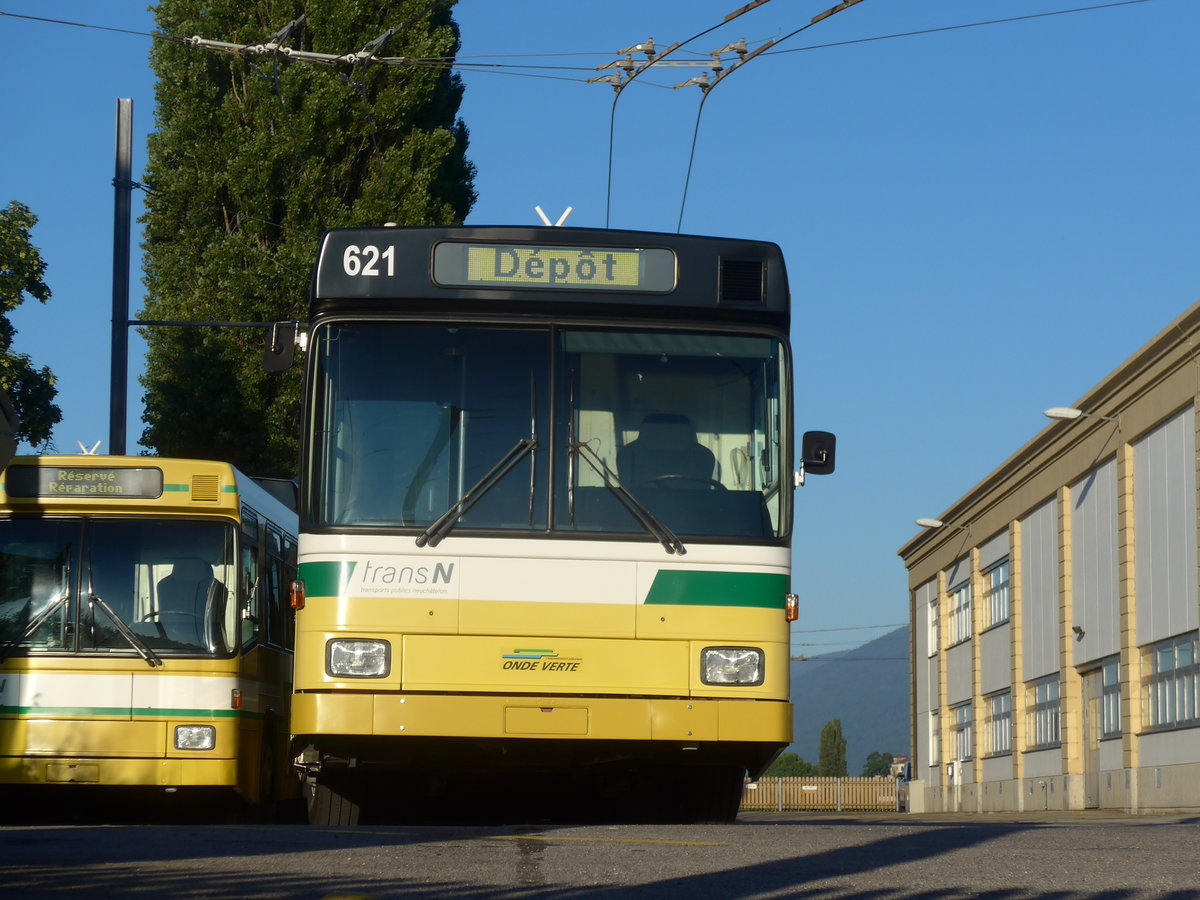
point(98, 586)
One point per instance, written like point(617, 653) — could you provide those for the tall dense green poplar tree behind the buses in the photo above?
point(253, 158)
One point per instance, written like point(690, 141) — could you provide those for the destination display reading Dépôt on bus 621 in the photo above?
point(538, 266)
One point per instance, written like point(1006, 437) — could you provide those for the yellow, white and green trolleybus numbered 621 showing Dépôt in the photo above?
point(547, 506)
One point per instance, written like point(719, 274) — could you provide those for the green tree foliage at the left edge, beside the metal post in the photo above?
point(22, 269)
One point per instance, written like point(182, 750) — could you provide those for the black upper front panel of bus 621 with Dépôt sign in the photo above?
point(550, 272)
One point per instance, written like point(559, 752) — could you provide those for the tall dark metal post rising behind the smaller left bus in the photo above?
point(123, 187)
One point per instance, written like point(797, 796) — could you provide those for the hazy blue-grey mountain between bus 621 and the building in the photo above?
point(867, 688)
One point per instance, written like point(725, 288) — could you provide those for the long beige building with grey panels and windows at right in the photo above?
point(1054, 611)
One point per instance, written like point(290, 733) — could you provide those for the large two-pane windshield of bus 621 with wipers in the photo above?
point(412, 421)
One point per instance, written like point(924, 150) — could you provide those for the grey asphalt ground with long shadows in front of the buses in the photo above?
point(766, 855)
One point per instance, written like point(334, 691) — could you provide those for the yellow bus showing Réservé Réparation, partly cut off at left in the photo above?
point(145, 627)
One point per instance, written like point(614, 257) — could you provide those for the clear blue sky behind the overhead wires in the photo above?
point(980, 223)
